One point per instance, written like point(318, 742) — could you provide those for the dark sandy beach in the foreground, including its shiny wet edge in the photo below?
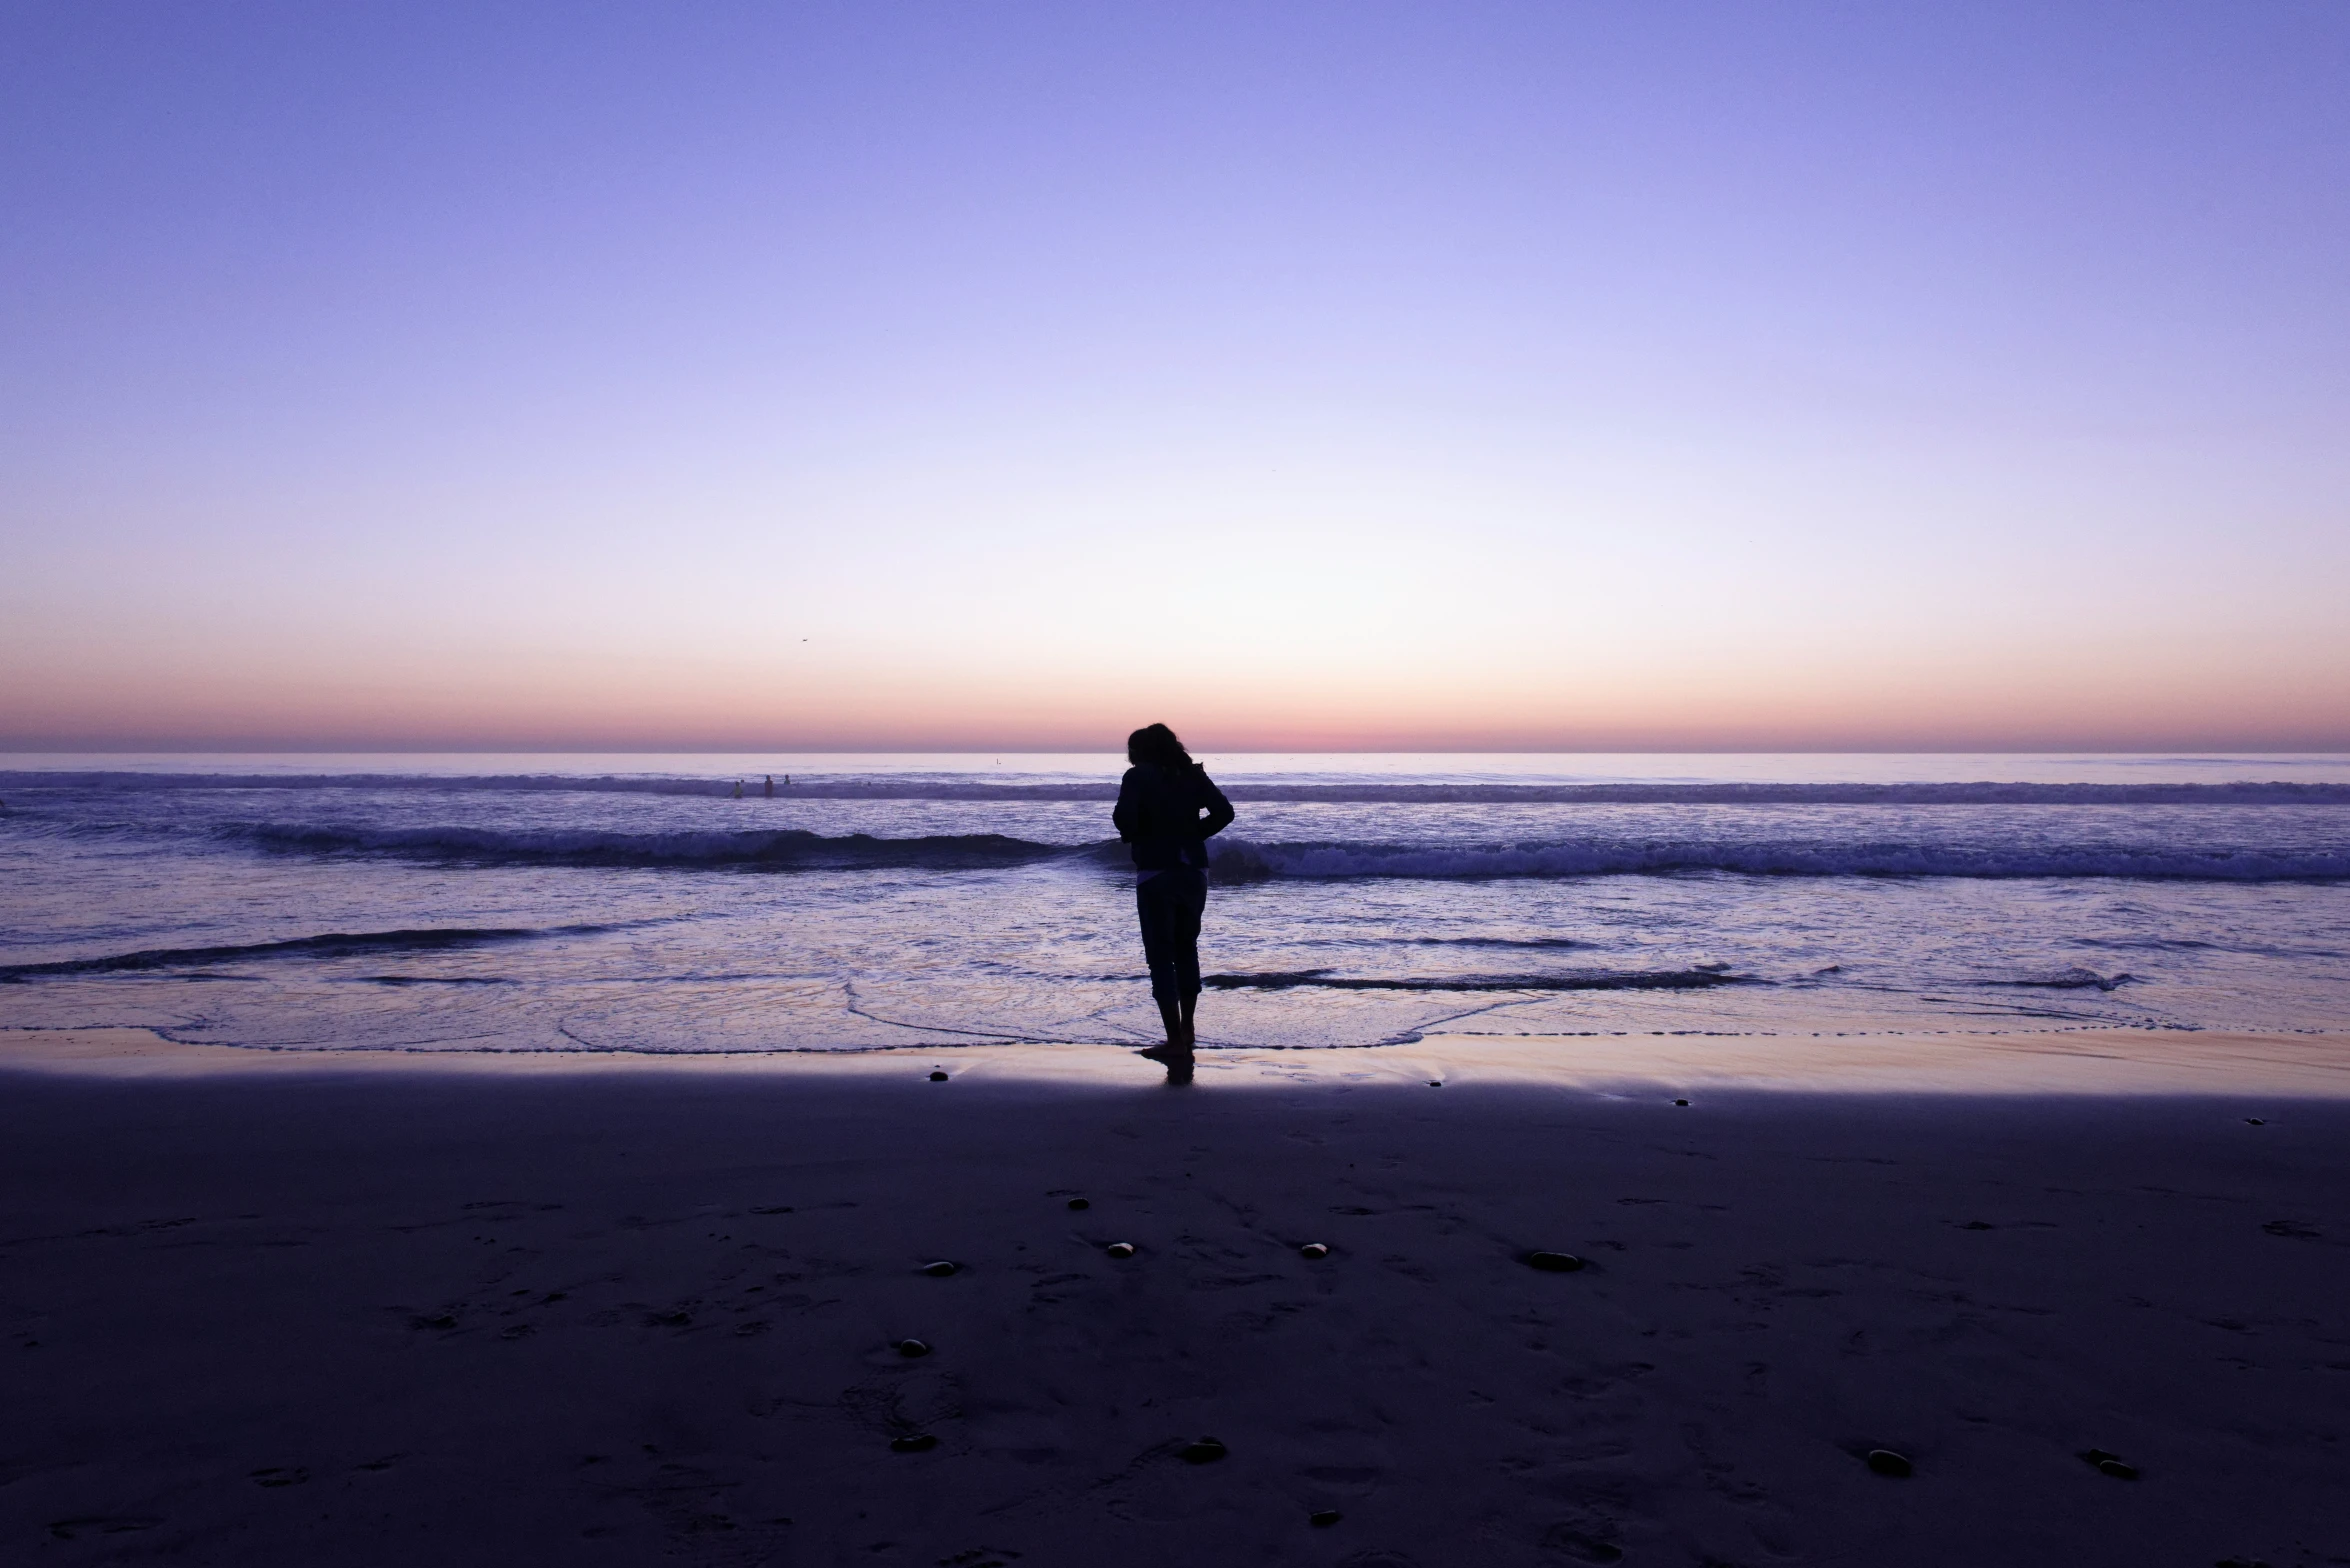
point(267, 1308)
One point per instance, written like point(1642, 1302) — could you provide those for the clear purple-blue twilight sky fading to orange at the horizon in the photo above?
point(1310, 377)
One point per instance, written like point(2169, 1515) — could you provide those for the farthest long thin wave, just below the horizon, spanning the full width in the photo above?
point(1439, 793)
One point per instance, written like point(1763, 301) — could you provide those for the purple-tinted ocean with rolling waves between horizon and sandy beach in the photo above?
point(638, 904)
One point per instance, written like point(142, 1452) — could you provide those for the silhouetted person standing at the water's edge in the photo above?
point(1167, 812)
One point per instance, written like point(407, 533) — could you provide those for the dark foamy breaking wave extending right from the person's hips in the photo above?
point(1244, 862)
